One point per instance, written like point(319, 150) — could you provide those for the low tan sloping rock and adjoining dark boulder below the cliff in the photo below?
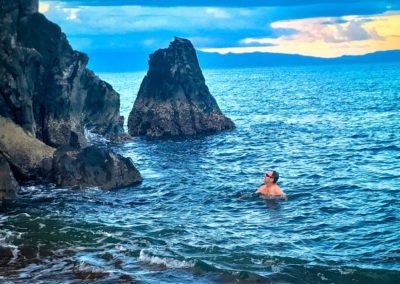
point(31, 159)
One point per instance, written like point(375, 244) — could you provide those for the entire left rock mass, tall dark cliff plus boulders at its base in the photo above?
point(47, 99)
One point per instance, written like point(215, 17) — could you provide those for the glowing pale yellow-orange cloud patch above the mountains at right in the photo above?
point(328, 36)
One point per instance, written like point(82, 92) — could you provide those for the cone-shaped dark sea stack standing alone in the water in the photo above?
point(173, 99)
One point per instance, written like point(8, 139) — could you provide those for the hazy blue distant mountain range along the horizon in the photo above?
point(105, 61)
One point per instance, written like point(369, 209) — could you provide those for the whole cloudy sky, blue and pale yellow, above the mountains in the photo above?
point(321, 28)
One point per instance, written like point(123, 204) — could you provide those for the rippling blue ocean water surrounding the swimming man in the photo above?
point(333, 134)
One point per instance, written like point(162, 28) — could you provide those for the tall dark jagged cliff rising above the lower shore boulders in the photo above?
point(44, 84)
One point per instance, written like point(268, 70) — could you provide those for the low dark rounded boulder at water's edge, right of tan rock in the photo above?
point(93, 167)
